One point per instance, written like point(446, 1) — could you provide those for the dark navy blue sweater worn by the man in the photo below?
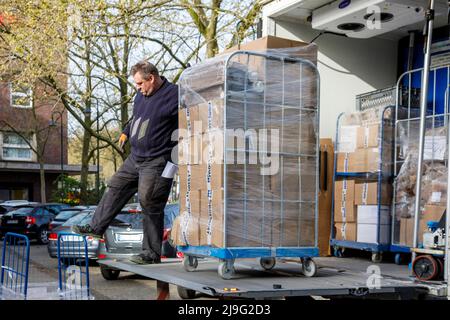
point(154, 120)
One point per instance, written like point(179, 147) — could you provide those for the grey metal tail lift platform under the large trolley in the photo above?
point(333, 280)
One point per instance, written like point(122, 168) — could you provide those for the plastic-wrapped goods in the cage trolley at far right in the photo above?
point(434, 181)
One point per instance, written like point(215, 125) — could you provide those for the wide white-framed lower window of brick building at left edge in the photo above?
point(15, 147)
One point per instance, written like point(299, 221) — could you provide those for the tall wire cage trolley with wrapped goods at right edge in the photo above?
point(435, 164)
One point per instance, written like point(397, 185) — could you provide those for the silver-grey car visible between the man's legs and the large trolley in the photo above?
point(124, 237)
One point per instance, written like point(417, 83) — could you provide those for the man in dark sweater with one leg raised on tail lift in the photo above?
point(155, 118)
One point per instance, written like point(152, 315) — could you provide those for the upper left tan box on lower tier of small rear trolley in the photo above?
point(344, 199)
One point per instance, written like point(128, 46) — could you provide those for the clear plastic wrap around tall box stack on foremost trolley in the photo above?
point(248, 151)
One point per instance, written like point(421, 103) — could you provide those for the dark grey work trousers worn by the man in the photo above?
point(143, 176)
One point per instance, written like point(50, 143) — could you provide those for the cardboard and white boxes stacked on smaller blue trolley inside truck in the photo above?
point(364, 147)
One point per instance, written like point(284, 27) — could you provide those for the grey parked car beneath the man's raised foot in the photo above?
point(71, 242)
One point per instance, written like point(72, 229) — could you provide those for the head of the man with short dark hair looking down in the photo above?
point(146, 77)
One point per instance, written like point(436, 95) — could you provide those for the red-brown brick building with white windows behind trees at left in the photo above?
point(24, 114)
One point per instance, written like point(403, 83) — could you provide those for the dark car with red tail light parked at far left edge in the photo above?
point(32, 221)
